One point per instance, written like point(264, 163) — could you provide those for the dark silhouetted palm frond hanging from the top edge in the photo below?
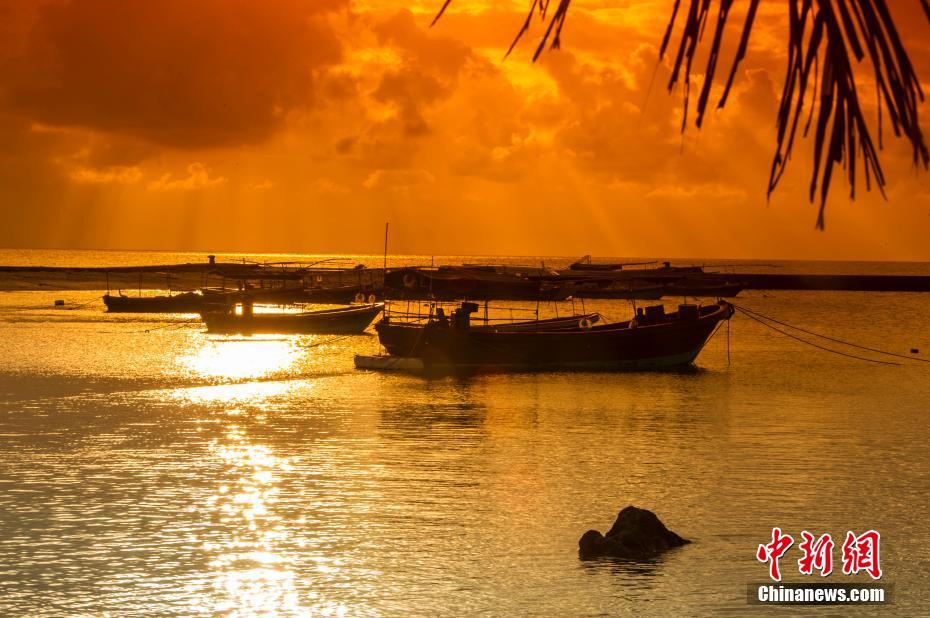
point(827, 39)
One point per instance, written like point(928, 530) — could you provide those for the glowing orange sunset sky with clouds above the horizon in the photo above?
point(302, 126)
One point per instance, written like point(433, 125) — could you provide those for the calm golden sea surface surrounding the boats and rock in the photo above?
point(147, 468)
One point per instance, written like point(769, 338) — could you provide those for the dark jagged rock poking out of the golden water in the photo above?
point(637, 534)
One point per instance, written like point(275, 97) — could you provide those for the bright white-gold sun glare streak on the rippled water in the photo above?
point(252, 573)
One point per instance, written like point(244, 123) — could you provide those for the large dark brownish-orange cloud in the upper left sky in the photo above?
point(174, 72)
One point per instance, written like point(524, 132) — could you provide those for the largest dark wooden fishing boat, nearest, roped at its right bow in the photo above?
point(652, 340)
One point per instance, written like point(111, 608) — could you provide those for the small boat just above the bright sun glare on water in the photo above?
point(353, 319)
